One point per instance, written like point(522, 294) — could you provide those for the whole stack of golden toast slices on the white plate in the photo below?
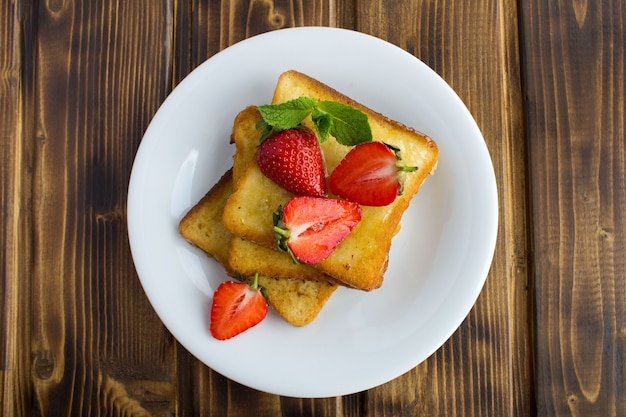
point(233, 222)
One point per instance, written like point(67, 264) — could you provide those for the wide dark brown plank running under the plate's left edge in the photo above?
point(101, 71)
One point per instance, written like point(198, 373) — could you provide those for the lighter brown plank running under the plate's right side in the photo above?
point(484, 369)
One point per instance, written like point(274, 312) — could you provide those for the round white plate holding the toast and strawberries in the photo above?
point(438, 261)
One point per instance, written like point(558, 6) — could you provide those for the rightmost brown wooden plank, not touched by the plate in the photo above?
point(574, 83)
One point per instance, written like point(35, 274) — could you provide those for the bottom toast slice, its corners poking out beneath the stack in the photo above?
point(298, 301)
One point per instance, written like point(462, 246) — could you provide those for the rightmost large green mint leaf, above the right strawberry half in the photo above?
point(349, 125)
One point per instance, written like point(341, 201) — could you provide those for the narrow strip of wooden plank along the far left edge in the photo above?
point(15, 201)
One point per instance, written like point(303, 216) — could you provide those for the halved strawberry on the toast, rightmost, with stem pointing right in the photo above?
point(370, 174)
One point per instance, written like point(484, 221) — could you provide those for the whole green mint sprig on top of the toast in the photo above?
point(348, 125)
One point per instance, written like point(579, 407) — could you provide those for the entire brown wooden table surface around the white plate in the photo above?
point(81, 80)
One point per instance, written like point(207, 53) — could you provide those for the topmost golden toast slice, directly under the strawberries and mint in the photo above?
point(360, 260)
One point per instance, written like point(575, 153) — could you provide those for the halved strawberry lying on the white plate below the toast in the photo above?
point(236, 307)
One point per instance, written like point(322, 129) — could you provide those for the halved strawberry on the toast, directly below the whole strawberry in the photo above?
point(310, 228)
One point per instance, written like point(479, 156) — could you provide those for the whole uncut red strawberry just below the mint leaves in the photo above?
point(292, 159)
